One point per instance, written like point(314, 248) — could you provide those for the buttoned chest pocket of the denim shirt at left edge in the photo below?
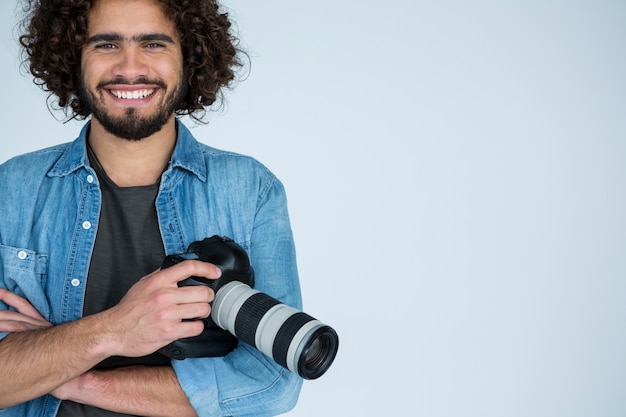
point(24, 272)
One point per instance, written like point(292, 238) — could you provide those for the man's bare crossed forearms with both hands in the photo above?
point(39, 358)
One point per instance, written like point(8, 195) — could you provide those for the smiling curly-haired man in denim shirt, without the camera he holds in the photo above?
point(84, 307)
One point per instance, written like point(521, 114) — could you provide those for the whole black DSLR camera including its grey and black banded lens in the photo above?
point(292, 338)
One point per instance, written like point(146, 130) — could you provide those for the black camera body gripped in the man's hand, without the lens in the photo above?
point(233, 261)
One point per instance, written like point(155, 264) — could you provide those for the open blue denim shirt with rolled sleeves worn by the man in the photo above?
point(50, 204)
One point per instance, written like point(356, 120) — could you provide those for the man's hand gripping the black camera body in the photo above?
point(152, 314)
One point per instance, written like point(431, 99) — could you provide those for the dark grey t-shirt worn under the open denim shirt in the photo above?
point(128, 246)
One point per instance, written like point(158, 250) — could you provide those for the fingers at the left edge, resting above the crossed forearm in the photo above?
point(25, 318)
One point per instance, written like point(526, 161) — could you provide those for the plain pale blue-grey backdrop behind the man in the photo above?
point(456, 176)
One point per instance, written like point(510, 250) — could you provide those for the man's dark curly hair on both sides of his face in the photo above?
point(54, 32)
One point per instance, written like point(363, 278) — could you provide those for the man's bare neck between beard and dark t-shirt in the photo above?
point(130, 163)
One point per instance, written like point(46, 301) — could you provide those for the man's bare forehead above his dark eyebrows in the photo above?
point(129, 17)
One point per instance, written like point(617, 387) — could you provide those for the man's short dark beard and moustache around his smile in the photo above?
point(132, 126)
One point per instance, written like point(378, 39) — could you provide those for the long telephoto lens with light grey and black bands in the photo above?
point(292, 338)
